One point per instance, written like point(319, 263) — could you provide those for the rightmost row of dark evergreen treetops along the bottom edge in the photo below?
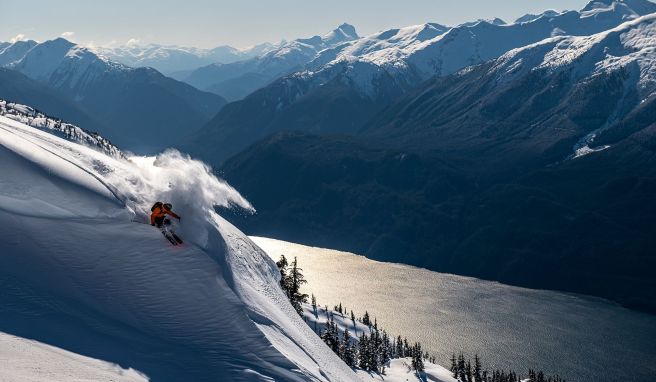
point(463, 371)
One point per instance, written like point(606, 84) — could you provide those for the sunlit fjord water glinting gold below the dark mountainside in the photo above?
point(580, 338)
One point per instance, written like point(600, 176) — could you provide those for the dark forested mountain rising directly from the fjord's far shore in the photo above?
point(534, 169)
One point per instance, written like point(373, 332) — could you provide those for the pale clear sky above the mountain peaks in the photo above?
point(239, 23)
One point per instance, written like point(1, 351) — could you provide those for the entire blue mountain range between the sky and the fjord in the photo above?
point(491, 149)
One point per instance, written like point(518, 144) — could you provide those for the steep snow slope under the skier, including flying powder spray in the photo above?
point(80, 271)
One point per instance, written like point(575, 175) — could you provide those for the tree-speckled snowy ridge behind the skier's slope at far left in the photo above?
point(31, 117)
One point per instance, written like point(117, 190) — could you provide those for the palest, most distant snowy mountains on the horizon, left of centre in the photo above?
point(169, 59)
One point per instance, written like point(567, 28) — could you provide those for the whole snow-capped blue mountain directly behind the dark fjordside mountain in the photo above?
point(346, 86)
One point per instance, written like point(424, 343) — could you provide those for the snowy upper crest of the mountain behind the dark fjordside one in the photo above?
point(416, 53)
